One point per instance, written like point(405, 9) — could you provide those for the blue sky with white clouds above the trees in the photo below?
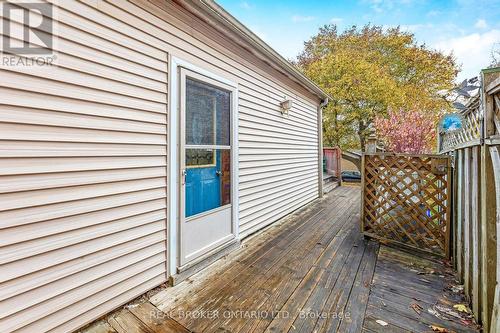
point(468, 28)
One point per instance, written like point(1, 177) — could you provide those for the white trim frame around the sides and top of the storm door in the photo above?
point(173, 239)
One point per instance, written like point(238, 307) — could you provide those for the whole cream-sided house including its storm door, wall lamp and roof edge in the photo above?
point(157, 143)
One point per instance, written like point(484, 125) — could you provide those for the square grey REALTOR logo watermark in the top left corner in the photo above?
point(28, 31)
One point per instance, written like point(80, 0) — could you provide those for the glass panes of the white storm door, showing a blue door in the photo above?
point(207, 153)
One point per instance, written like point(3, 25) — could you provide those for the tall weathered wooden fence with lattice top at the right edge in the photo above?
point(476, 200)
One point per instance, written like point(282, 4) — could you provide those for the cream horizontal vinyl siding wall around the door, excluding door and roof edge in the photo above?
point(83, 150)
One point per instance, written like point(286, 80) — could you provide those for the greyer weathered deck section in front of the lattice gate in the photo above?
point(402, 280)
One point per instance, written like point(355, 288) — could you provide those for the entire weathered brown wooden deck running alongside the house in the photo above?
point(312, 272)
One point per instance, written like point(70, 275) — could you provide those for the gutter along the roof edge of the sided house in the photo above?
point(229, 21)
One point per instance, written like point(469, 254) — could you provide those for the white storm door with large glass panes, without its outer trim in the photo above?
point(205, 165)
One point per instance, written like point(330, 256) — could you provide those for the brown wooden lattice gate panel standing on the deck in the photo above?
point(406, 200)
